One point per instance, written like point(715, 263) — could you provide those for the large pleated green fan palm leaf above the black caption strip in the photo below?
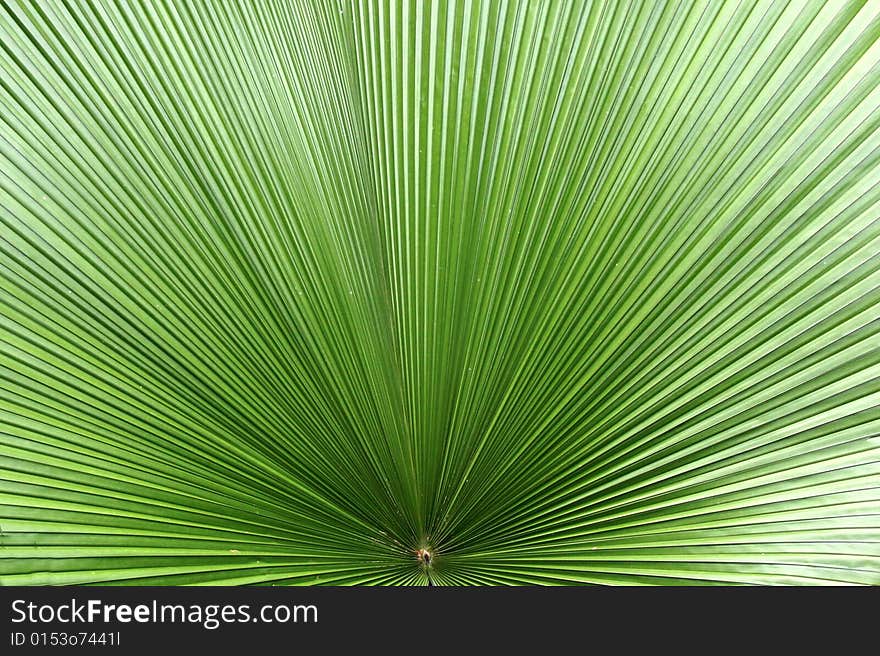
point(566, 292)
